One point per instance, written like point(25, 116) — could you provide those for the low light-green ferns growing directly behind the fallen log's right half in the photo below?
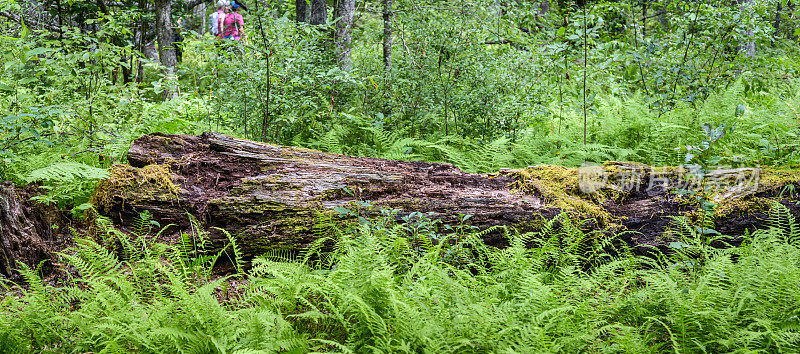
point(623, 130)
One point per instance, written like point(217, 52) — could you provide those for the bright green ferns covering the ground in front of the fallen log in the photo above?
point(386, 287)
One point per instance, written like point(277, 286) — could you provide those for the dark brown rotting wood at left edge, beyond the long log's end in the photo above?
point(29, 232)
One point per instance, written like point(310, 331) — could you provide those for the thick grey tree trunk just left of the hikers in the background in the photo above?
point(166, 47)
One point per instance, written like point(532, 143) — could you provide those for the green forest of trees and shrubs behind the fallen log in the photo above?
point(483, 85)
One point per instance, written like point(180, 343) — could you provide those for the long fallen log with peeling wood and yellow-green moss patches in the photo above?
point(271, 197)
